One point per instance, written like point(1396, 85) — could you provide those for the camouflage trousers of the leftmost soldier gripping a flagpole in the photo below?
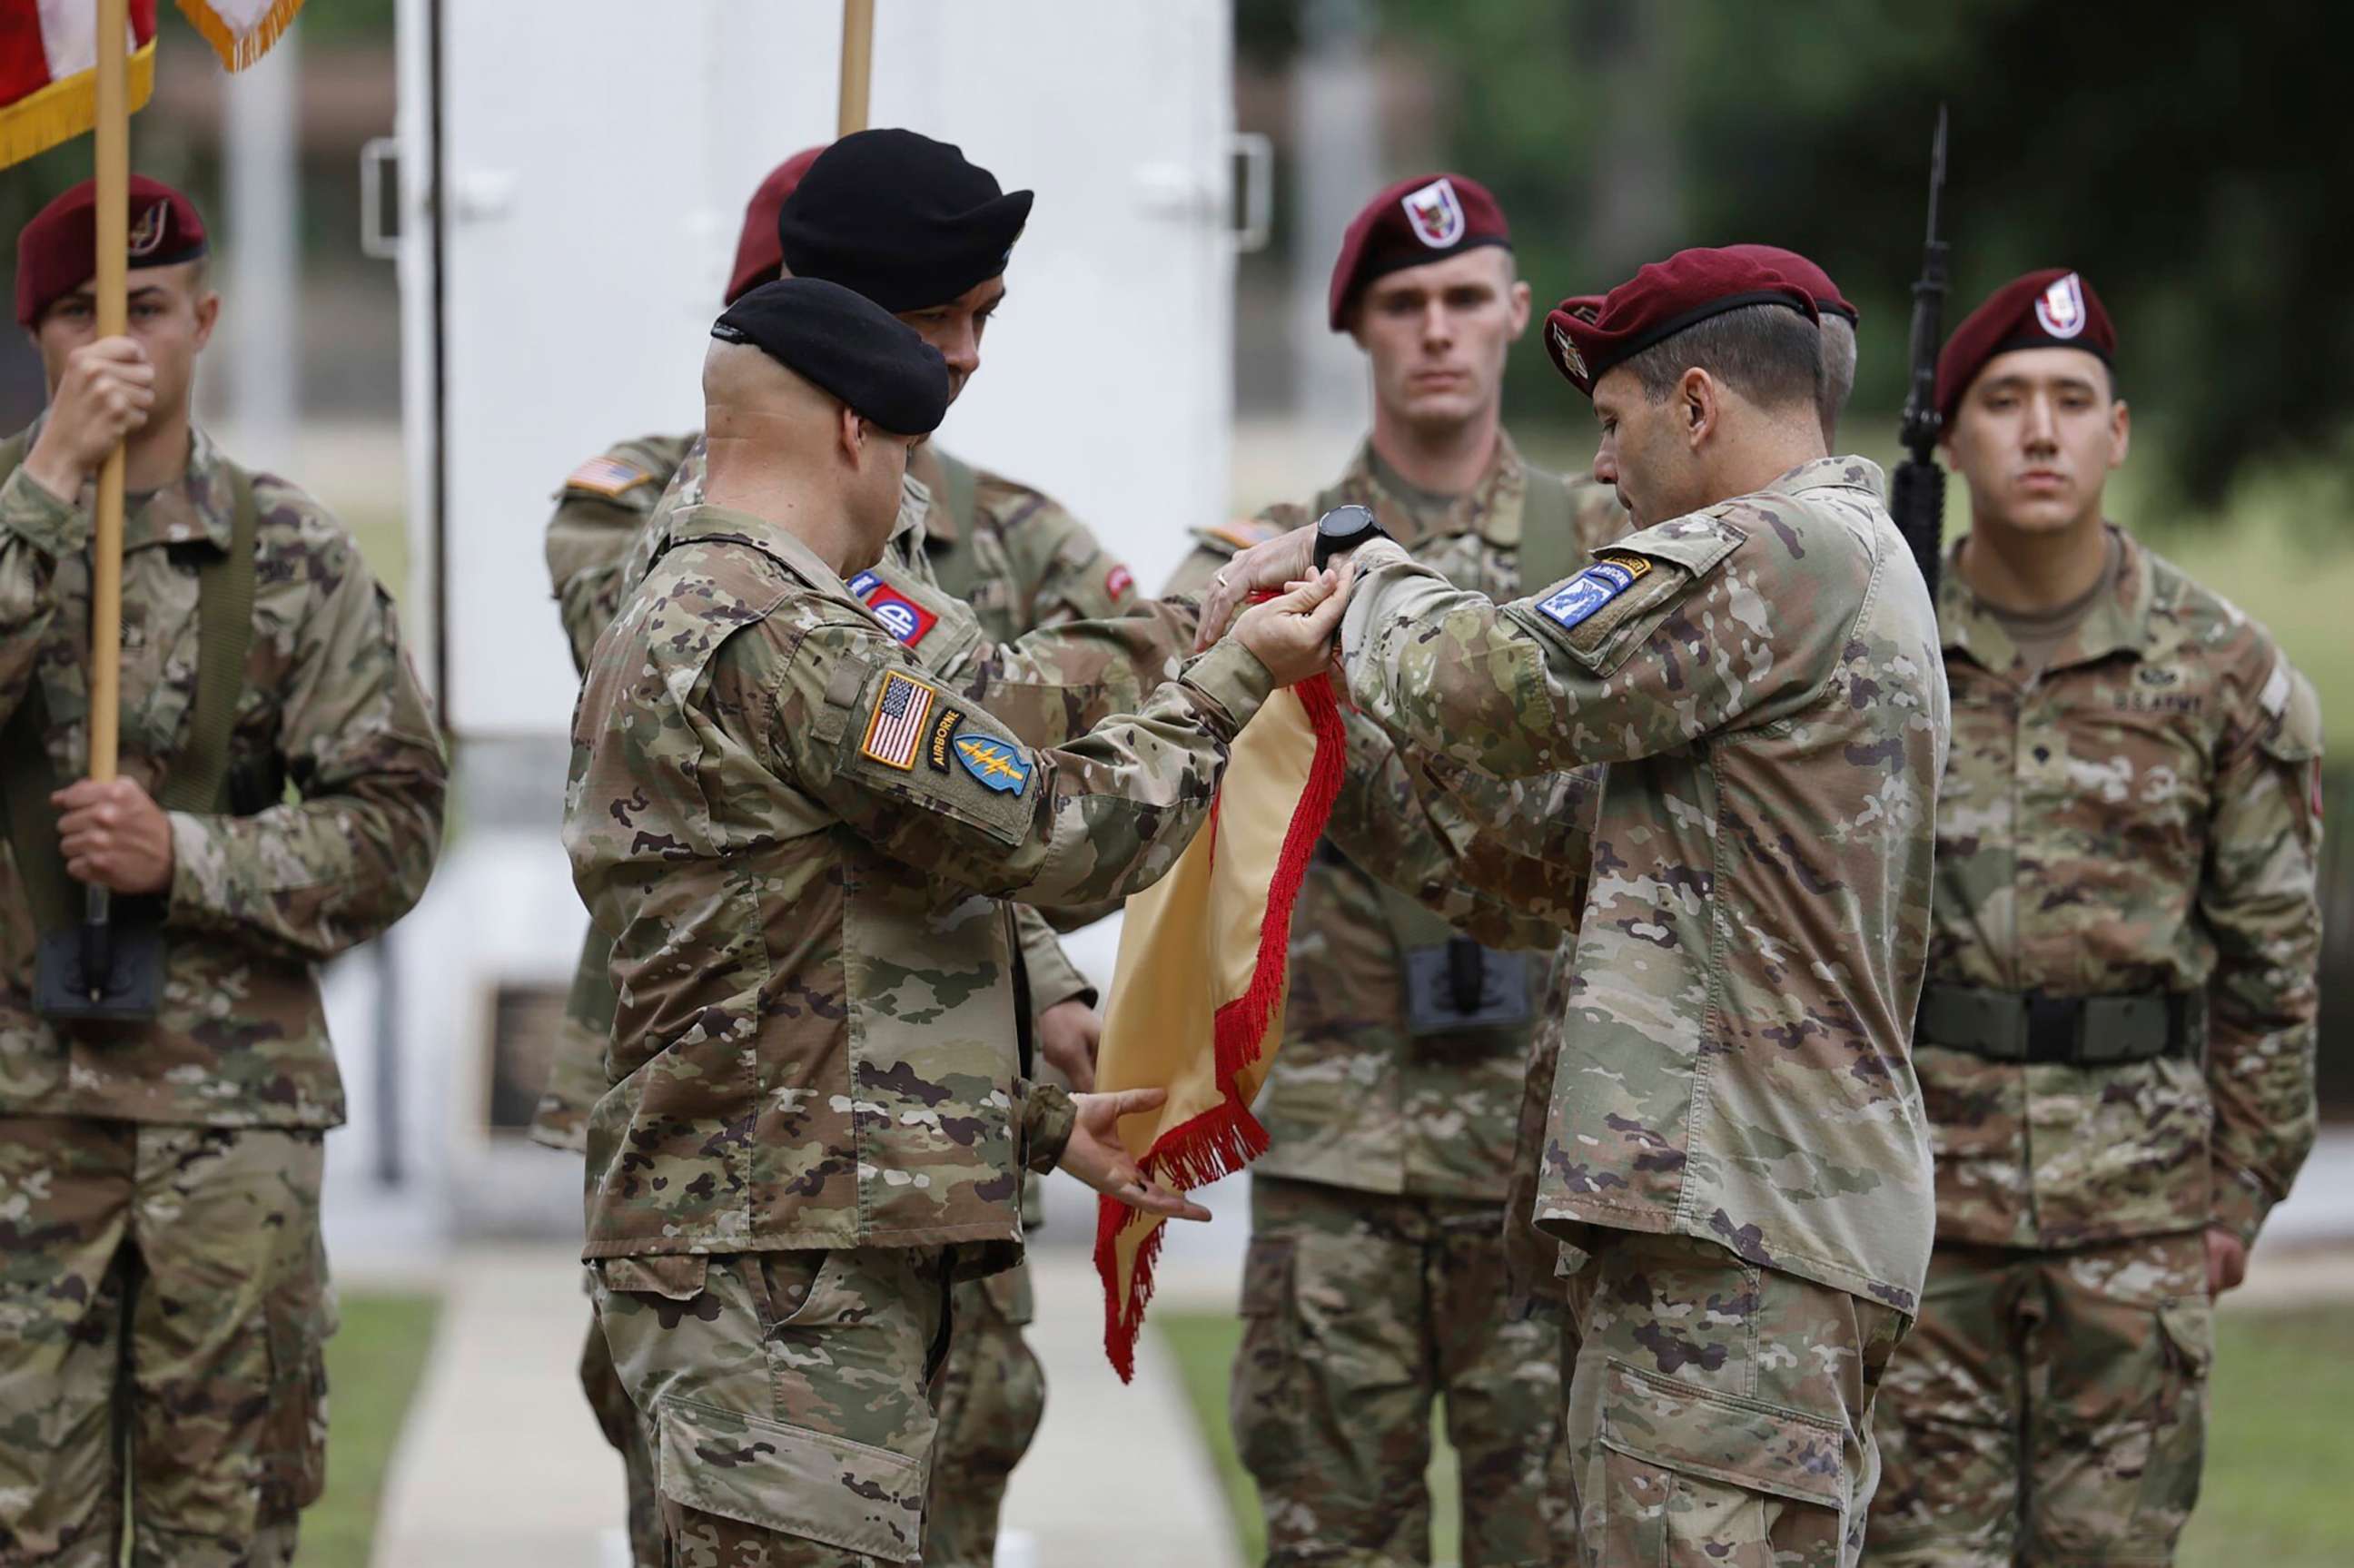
point(164, 1305)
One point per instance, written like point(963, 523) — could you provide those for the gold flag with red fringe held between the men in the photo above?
point(1197, 999)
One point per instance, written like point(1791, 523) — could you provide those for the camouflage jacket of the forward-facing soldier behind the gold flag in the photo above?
point(1359, 1098)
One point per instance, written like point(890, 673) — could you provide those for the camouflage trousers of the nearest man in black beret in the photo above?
point(787, 1400)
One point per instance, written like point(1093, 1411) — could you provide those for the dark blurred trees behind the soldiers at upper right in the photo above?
point(2190, 161)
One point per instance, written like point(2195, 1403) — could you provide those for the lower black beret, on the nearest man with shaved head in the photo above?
point(846, 345)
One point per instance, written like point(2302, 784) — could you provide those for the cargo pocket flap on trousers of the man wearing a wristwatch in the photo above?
point(1724, 1437)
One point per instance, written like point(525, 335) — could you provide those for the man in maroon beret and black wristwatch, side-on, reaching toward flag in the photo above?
point(1736, 1157)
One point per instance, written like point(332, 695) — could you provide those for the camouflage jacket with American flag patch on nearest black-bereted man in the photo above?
point(802, 842)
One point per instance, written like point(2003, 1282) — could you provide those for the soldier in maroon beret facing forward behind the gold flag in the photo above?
point(1376, 1275)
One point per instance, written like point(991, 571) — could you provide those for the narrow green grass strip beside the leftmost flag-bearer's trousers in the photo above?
point(373, 1371)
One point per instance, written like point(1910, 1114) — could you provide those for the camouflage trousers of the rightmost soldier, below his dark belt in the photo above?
point(2049, 1407)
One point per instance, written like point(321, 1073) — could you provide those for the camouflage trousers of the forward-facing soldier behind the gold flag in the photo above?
point(1359, 1310)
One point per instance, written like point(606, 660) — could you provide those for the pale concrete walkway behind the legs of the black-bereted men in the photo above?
point(503, 1463)
